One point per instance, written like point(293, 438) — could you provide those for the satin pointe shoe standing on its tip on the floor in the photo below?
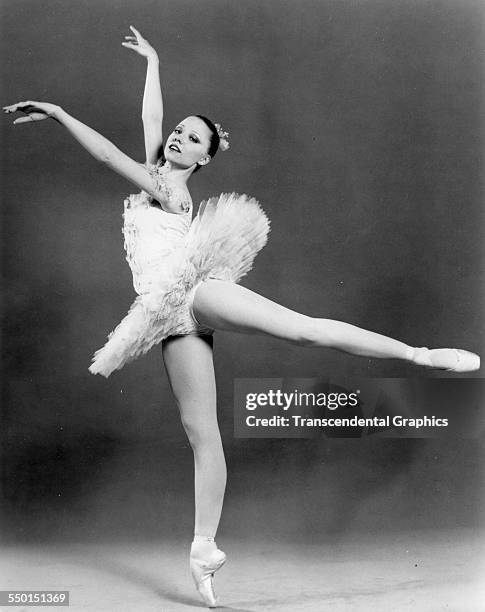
point(205, 559)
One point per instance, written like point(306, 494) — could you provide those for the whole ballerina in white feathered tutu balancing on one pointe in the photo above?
point(185, 276)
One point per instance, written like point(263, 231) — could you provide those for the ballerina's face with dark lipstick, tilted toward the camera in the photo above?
point(188, 144)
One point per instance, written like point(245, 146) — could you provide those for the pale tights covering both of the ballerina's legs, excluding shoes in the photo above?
point(226, 306)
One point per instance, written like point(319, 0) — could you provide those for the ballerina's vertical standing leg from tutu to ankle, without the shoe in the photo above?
point(190, 369)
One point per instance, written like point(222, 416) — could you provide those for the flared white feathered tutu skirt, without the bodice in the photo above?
point(222, 242)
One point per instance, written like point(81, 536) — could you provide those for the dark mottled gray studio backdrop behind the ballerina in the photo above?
point(358, 126)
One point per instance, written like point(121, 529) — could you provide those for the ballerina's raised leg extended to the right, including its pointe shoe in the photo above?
point(226, 306)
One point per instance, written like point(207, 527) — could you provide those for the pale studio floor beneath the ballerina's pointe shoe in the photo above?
point(421, 571)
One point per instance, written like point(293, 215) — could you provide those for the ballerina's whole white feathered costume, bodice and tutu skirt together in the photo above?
point(170, 255)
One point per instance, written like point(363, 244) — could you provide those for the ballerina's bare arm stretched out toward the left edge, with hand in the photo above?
point(97, 145)
